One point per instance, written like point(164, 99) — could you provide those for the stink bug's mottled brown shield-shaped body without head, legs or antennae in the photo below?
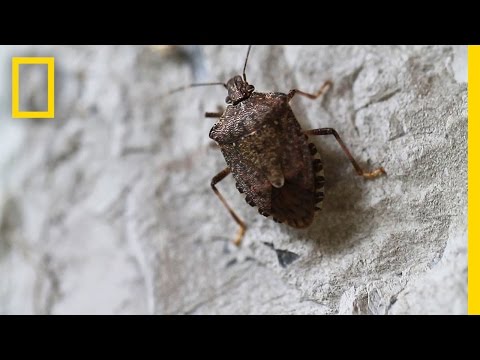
point(270, 158)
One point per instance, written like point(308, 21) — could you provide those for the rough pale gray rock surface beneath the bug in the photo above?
point(108, 208)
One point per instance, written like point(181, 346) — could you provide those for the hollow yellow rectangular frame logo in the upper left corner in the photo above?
point(18, 113)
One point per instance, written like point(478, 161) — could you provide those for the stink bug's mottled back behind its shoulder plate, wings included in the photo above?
point(278, 149)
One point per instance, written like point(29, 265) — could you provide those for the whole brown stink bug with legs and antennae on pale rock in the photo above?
point(269, 154)
